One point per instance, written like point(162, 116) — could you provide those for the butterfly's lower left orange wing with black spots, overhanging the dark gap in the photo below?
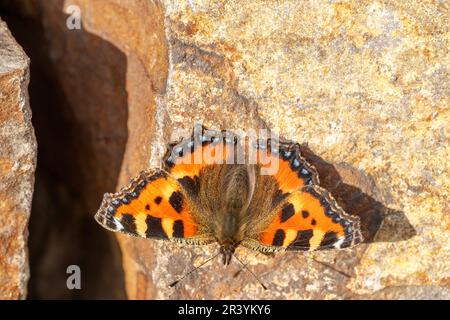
point(154, 205)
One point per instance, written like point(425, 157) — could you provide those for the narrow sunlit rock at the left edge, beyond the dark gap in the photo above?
point(17, 166)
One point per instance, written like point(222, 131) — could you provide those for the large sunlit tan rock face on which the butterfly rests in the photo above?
point(363, 83)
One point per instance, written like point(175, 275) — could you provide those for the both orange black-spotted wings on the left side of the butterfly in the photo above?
point(154, 205)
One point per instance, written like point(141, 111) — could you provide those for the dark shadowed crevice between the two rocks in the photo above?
point(79, 103)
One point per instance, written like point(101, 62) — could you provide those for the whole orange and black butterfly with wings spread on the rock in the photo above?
point(205, 193)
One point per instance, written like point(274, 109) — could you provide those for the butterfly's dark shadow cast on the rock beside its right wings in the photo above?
point(355, 192)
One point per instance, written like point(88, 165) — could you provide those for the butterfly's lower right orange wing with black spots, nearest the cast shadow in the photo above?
point(310, 219)
